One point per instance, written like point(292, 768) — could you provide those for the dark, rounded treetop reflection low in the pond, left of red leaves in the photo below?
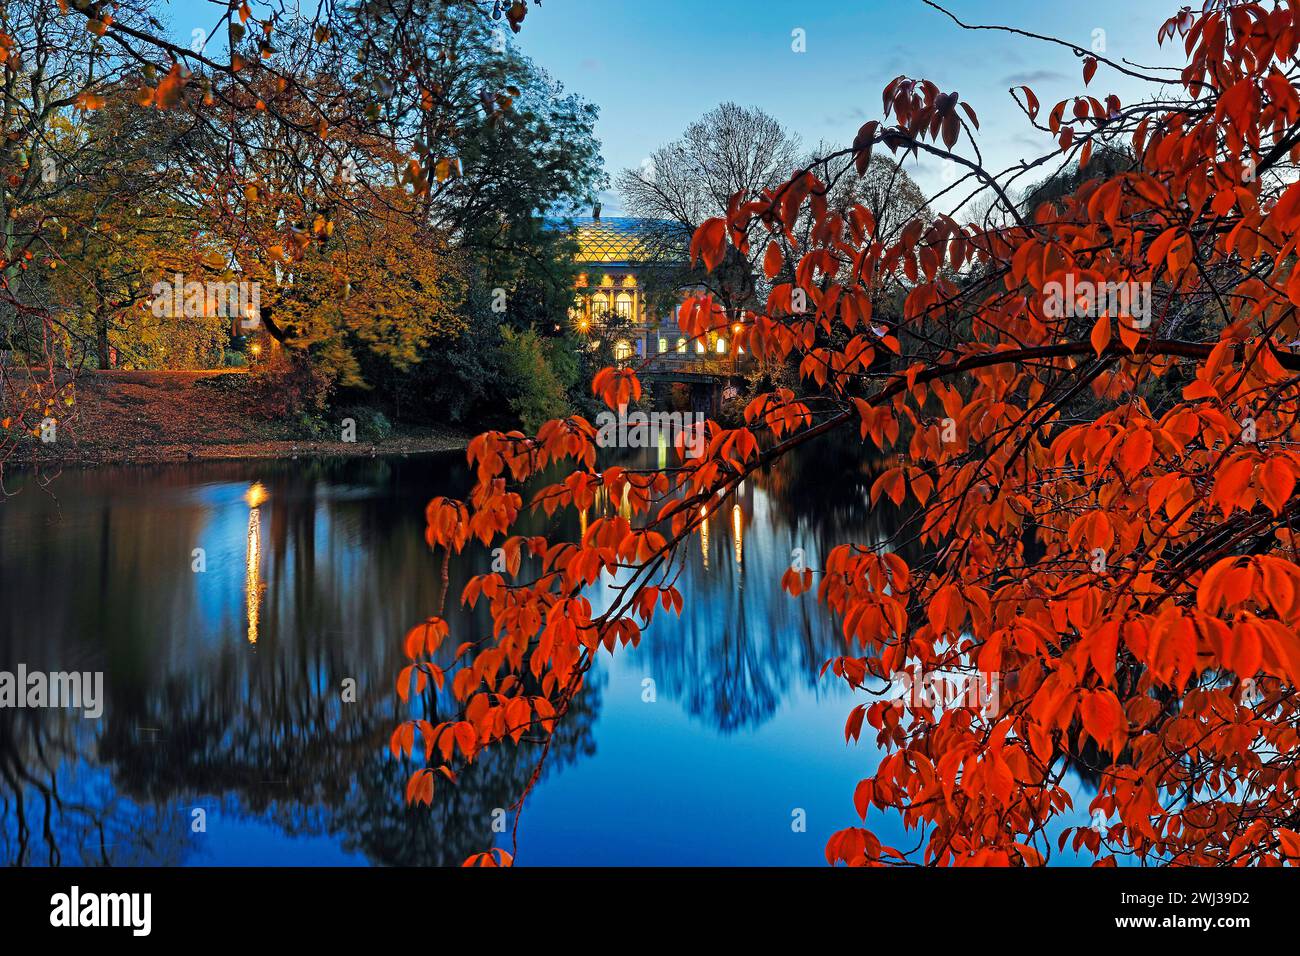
point(270, 746)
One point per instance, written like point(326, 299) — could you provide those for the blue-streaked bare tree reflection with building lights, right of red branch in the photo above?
point(743, 644)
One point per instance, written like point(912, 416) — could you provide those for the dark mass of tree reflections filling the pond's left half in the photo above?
point(197, 717)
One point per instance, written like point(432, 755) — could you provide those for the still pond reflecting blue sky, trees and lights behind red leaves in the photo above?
point(231, 607)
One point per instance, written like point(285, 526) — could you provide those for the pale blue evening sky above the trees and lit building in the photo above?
point(656, 66)
